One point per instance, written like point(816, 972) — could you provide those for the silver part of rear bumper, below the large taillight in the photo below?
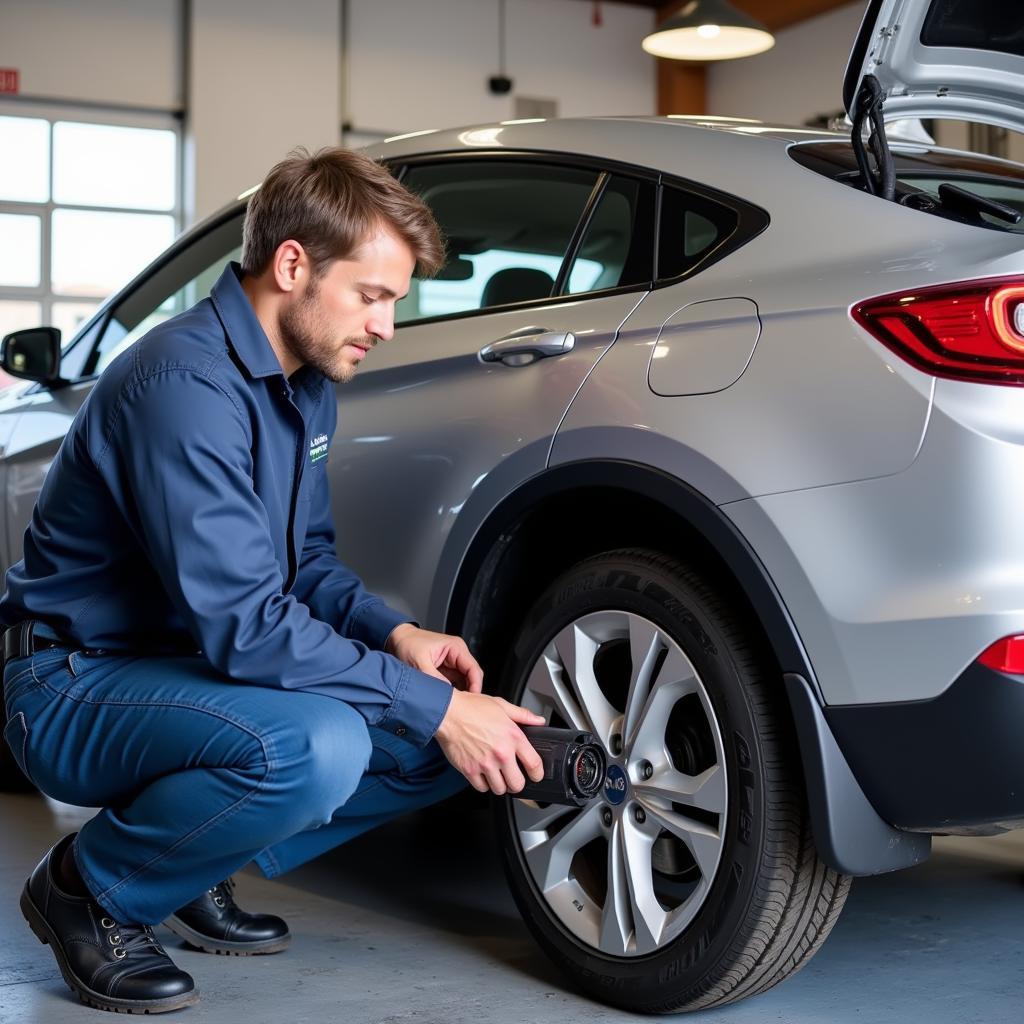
point(898, 585)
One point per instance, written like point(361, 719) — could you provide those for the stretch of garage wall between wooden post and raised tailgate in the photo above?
point(767, 88)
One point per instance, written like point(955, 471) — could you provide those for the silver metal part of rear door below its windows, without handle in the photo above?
point(426, 424)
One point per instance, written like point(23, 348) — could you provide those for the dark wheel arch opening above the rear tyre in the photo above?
point(581, 508)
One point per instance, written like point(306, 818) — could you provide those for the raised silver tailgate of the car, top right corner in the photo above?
point(944, 59)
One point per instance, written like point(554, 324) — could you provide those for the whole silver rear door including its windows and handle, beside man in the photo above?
point(546, 261)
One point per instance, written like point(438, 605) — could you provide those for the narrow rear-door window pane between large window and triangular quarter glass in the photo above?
point(618, 248)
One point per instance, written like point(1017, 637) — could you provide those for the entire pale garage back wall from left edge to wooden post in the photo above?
point(260, 77)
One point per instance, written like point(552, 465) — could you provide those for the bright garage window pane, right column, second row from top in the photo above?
point(97, 253)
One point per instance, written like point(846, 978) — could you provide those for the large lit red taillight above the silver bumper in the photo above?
point(970, 332)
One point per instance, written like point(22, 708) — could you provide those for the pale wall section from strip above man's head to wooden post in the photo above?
point(418, 66)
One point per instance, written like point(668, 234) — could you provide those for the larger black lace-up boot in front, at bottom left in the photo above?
point(111, 965)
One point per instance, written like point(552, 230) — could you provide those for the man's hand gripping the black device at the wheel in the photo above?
point(481, 736)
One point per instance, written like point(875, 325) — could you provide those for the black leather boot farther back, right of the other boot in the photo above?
point(216, 924)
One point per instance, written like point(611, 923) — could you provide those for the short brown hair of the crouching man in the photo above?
point(331, 203)
